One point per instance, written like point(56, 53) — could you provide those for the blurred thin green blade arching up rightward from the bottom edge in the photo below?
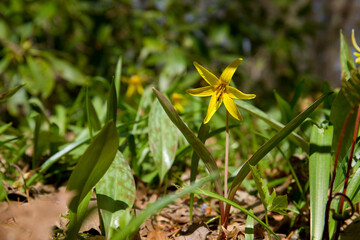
point(136, 222)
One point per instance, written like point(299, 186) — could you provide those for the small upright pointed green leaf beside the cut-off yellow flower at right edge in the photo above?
point(346, 59)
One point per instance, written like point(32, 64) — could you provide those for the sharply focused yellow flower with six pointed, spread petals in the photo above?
point(220, 91)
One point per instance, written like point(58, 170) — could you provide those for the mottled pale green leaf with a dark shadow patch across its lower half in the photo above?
point(115, 194)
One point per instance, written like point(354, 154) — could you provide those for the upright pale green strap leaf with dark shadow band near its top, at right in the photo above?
point(319, 177)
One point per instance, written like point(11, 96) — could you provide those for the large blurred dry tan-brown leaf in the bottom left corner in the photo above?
point(33, 220)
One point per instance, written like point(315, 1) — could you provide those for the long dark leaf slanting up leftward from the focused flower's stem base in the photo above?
point(195, 142)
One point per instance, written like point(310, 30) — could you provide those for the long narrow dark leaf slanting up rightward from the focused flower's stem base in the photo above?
point(268, 146)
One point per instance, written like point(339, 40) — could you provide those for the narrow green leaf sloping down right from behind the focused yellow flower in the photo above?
point(293, 136)
